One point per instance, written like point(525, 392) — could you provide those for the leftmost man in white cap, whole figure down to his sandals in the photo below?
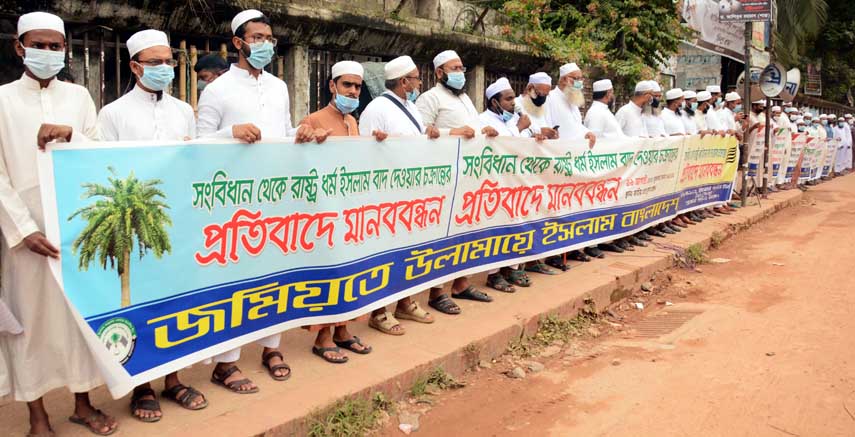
point(51, 352)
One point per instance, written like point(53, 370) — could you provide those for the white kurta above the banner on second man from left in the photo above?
point(138, 115)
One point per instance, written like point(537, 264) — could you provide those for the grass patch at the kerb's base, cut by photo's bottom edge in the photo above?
point(350, 417)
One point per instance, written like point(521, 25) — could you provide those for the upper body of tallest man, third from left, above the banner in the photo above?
point(246, 102)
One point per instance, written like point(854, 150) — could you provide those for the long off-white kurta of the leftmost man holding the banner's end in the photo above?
point(51, 352)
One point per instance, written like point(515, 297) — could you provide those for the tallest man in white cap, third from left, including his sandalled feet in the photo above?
point(249, 104)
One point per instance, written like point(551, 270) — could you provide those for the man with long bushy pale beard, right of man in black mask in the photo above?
point(563, 105)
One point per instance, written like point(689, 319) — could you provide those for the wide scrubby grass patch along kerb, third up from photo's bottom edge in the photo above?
point(553, 328)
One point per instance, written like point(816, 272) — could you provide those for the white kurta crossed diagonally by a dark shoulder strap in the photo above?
point(382, 114)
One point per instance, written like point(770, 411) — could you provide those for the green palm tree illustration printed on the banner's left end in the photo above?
point(124, 211)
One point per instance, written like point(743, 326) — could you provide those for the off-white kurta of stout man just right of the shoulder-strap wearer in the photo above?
point(447, 110)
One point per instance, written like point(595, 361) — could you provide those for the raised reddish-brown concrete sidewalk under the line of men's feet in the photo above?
point(455, 343)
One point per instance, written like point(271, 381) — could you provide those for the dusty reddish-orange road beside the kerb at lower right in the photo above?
point(767, 349)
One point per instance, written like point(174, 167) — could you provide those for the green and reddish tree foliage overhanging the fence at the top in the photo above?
point(627, 38)
